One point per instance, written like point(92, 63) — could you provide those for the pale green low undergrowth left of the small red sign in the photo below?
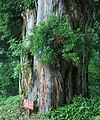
point(9, 108)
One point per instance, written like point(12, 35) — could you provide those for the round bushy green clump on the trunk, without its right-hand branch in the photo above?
point(50, 39)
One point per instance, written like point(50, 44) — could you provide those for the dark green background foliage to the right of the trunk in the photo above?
point(94, 69)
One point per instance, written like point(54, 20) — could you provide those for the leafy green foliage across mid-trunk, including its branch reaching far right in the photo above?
point(55, 39)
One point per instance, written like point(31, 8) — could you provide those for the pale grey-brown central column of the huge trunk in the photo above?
point(51, 87)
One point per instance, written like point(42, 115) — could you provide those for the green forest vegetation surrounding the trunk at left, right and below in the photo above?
point(10, 105)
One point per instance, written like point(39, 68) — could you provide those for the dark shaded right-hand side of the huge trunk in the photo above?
point(80, 14)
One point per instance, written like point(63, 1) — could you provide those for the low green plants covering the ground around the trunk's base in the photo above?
point(80, 109)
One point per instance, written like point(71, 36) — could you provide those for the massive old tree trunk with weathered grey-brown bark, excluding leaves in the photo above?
point(53, 85)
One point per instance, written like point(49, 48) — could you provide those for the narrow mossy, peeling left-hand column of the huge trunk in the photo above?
point(26, 60)
